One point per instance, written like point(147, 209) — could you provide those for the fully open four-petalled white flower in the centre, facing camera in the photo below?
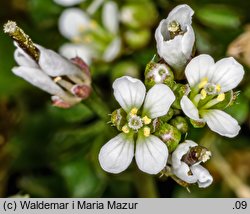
point(150, 153)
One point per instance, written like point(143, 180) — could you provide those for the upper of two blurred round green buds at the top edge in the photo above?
point(136, 15)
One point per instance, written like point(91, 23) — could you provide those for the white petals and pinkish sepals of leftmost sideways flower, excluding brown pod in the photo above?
point(47, 73)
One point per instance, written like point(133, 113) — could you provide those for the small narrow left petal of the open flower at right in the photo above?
point(190, 109)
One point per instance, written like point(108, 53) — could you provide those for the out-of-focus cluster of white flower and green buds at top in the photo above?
point(103, 41)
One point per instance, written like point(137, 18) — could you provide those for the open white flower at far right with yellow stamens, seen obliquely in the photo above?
point(209, 81)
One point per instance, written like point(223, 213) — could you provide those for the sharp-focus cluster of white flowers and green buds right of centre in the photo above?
point(156, 132)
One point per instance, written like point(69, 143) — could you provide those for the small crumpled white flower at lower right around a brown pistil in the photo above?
point(190, 173)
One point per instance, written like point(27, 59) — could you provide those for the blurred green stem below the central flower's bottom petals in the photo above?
point(145, 185)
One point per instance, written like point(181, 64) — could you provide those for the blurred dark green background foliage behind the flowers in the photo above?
point(51, 152)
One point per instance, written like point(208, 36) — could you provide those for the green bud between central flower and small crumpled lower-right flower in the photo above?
point(169, 135)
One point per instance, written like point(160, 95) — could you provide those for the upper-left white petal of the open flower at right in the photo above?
point(198, 68)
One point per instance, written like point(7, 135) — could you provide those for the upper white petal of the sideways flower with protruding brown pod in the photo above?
point(55, 65)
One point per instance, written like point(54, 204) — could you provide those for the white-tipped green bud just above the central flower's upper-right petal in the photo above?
point(156, 73)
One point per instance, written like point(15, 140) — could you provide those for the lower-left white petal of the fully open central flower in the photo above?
point(116, 155)
